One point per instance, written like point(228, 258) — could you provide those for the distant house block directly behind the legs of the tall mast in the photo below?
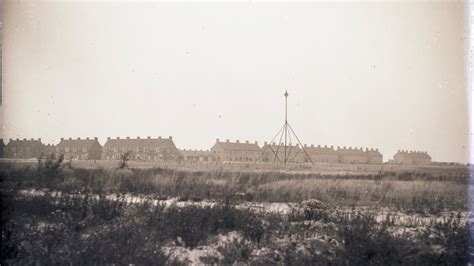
point(276, 153)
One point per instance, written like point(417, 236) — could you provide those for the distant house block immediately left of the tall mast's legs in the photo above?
point(236, 151)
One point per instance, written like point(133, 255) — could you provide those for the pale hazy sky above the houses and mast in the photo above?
point(386, 75)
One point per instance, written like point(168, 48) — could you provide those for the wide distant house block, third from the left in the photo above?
point(149, 149)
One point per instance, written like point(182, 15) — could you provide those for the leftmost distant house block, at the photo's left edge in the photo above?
point(23, 149)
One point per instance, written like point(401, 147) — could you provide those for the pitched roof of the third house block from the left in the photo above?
point(139, 143)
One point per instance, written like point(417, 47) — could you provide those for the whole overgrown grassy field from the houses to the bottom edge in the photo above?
point(398, 216)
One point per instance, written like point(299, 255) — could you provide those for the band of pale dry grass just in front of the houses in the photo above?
point(418, 191)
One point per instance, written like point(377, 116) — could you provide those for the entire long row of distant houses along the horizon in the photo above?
point(164, 149)
